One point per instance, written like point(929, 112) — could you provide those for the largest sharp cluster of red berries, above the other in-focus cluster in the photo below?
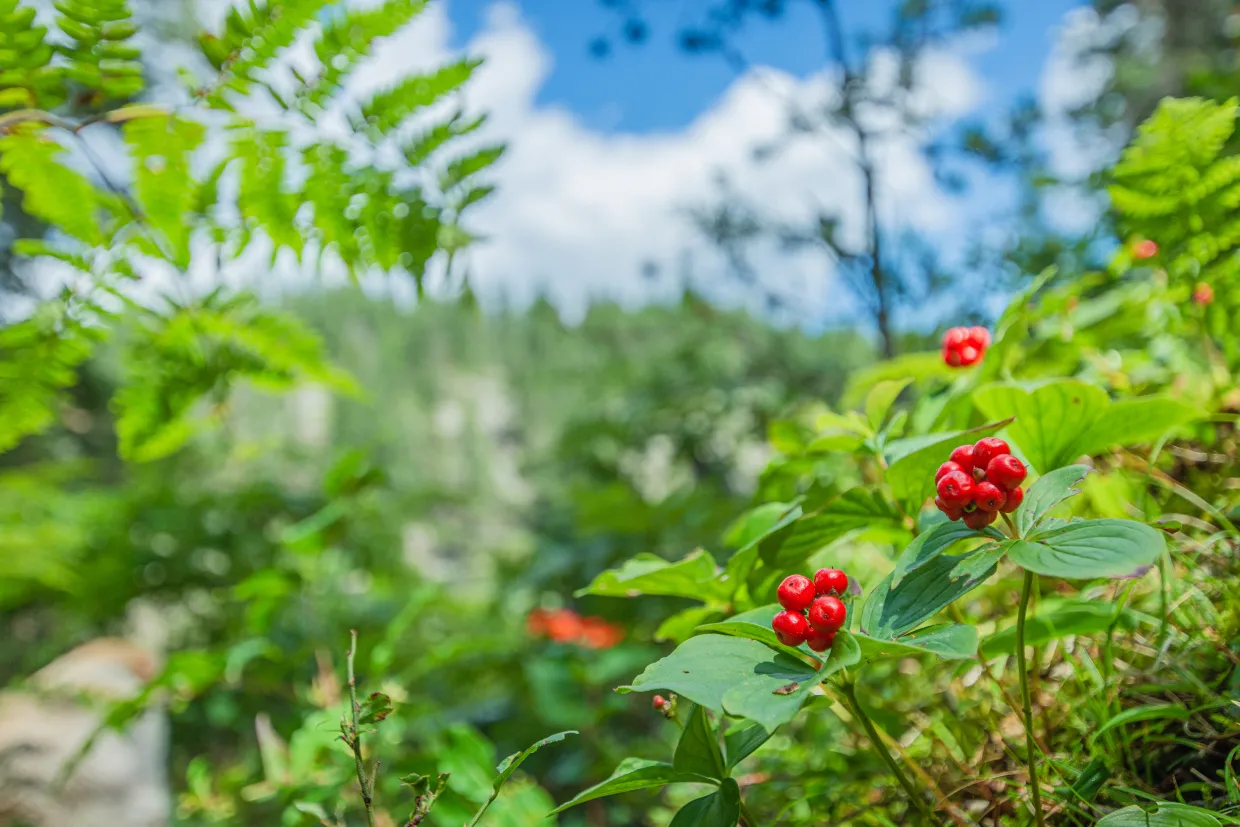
point(979, 482)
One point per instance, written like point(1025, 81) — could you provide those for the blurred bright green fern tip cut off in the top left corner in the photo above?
point(27, 76)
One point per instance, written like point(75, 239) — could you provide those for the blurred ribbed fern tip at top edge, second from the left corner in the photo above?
point(100, 54)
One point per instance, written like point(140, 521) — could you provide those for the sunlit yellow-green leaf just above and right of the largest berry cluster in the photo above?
point(1050, 417)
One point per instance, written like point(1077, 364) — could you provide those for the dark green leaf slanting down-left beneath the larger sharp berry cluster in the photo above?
point(891, 612)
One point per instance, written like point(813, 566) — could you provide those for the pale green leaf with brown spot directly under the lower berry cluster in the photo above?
point(773, 694)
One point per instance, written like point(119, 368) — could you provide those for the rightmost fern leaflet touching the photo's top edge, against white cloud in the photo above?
point(347, 40)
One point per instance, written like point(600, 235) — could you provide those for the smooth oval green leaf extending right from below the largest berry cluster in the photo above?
point(1091, 549)
